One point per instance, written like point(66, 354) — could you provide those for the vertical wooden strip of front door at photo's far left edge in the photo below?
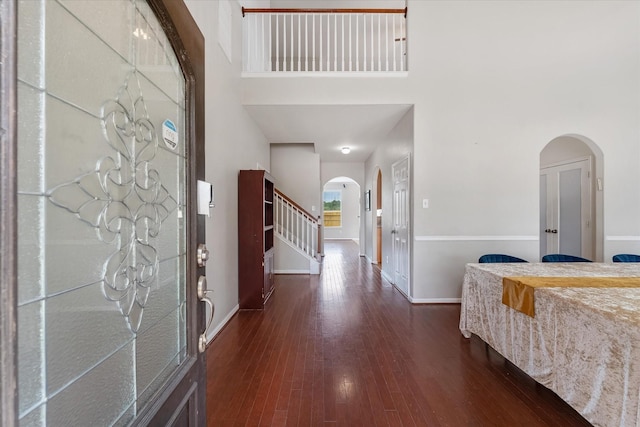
point(8, 215)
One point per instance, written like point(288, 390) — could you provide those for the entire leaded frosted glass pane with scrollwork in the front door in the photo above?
point(101, 208)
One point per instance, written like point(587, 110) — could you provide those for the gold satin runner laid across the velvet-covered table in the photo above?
point(517, 292)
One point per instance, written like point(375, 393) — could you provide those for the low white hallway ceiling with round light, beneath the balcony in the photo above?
point(330, 127)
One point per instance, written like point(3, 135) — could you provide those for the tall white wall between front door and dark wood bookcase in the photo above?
point(233, 142)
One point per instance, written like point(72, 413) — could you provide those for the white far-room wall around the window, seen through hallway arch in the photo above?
point(352, 202)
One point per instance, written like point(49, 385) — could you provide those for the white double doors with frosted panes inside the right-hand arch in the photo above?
point(565, 209)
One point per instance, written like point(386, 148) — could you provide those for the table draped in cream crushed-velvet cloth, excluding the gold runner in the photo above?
point(583, 343)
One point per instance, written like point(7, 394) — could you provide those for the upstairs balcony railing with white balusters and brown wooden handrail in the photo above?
point(325, 40)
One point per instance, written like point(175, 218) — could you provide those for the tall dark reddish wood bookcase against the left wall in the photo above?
point(255, 238)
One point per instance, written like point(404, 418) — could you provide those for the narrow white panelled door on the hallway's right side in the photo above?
point(401, 221)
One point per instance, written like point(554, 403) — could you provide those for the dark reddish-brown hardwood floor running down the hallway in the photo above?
point(347, 349)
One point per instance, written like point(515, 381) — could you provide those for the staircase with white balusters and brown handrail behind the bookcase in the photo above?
point(297, 235)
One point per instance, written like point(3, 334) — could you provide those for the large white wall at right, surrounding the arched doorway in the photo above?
point(503, 79)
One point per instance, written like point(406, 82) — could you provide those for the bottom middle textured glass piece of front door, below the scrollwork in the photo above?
point(99, 397)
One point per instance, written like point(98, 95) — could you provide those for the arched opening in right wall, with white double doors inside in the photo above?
point(571, 197)
